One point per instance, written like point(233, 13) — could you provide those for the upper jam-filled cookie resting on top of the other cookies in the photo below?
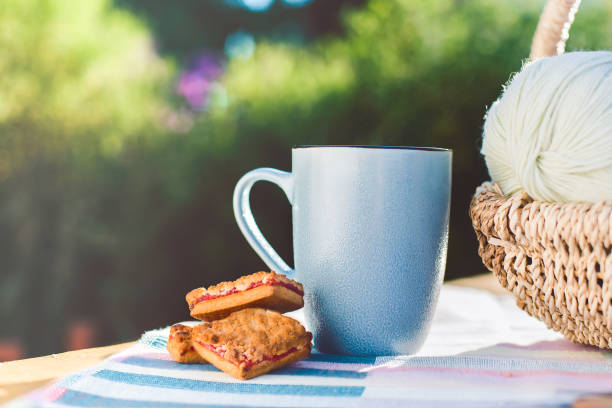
point(268, 290)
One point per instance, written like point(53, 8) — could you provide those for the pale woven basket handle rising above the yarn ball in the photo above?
point(553, 28)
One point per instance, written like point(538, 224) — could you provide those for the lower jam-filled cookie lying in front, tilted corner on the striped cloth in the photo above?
point(251, 342)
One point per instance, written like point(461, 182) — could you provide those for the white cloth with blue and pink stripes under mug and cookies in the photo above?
point(482, 351)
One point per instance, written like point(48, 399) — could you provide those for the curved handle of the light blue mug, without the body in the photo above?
point(244, 216)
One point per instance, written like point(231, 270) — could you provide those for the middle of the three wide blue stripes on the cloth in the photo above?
point(234, 388)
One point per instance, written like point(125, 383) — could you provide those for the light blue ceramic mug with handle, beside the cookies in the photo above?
point(370, 232)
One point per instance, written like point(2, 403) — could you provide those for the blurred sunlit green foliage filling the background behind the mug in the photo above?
point(107, 215)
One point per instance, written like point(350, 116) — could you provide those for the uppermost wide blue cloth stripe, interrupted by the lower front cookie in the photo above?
point(299, 371)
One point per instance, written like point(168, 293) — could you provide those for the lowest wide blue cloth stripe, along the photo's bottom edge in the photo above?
point(84, 399)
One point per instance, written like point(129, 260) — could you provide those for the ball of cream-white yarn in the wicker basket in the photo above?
point(550, 133)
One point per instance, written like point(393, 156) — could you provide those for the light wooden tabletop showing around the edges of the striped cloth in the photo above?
point(21, 376)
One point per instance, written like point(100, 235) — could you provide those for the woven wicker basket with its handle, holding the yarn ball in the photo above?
point(556, 259)
